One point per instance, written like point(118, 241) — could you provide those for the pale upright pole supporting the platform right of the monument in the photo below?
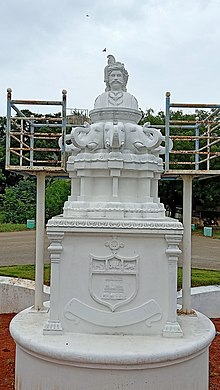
point(187, 243)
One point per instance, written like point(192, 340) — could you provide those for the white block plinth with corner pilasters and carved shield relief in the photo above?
point(122, 265)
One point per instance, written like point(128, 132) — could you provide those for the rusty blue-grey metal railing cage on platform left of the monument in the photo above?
point(32, 140)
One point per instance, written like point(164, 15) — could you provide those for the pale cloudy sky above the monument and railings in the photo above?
point(166, 45)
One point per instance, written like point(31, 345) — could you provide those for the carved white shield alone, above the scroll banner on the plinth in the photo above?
point(113, 280)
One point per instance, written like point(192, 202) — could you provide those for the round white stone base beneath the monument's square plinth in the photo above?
point(97, 362)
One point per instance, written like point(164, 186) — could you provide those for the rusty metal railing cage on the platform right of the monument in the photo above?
point(196, 143)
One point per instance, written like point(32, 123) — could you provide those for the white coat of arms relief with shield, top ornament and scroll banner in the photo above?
point(113, 282)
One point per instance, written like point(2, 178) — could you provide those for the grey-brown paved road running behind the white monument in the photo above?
point(19, 248)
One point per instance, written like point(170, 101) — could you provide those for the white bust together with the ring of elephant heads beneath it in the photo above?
point(115, 120)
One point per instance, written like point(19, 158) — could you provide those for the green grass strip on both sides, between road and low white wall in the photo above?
point(199, 277)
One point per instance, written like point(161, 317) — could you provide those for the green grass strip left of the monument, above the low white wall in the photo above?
point(25, 272)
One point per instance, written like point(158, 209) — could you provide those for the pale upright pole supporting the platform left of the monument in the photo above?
point(40, 223)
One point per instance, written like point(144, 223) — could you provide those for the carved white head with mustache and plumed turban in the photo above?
point(115, 75)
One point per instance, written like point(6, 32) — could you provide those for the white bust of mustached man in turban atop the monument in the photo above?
point(115, 95)
